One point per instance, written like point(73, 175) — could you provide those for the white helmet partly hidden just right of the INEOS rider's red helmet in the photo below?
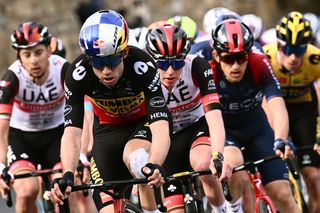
point(255, 24)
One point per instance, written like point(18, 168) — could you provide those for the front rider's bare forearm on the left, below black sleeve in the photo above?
point(70, 148)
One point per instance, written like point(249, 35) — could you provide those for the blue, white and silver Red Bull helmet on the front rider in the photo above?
point(104, 33)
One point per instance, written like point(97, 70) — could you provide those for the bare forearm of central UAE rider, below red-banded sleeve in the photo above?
point(216, 129)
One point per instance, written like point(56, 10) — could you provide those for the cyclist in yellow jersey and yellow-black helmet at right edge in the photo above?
point(296, 65)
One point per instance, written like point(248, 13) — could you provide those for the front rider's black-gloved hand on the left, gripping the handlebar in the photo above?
point(61, 188)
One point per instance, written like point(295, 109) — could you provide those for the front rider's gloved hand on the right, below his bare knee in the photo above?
point(155, 174)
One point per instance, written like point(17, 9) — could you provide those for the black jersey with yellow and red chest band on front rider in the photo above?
point(137, 93)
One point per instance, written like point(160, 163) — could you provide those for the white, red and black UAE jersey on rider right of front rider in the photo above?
point(193, 94)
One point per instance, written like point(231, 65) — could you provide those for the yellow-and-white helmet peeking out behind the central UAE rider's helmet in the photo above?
point(186, 23)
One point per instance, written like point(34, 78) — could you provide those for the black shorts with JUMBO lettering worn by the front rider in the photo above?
point(107, 155)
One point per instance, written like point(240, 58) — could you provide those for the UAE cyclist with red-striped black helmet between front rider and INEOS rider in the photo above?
point(190, 94)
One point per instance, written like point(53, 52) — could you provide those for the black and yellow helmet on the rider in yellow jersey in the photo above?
point(294, 29)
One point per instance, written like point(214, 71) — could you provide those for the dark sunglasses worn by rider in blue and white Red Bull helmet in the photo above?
point(110, 61)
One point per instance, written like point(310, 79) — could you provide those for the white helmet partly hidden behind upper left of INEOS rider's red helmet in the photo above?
point(211, 16)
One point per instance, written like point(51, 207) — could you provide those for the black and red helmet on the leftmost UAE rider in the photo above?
point(30, 34)
